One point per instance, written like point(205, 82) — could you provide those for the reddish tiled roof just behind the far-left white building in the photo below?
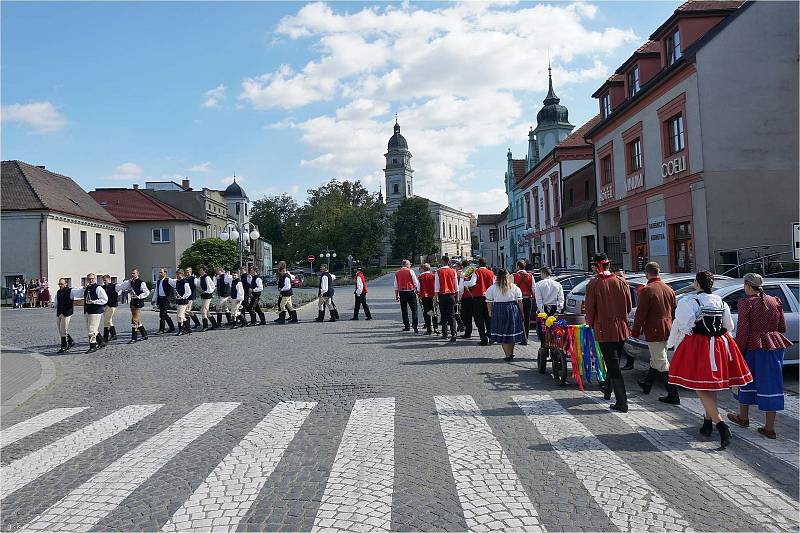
point(133, 205)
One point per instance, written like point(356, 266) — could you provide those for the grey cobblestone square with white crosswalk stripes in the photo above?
point(358, 426)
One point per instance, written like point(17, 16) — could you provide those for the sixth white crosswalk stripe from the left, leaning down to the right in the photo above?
point(491, 494)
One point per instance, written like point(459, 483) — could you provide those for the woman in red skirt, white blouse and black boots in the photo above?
point(707, 359)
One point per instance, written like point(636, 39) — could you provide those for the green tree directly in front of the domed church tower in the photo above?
point(413, 229)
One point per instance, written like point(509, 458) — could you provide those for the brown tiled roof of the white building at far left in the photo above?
point(27, 187)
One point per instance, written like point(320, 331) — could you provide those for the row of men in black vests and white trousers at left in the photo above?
point(239, 293)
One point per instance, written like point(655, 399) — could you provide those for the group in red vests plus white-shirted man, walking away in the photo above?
point(456, 296)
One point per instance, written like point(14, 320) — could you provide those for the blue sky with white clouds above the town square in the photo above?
point(289, 95)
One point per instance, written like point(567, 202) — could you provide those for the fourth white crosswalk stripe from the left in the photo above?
point(226, 495)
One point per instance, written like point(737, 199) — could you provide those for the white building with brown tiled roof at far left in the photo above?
point(51, 228)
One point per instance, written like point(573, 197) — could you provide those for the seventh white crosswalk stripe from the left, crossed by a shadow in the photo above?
point(627, 499)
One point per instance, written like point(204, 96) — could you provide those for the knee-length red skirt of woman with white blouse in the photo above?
point(708, 363)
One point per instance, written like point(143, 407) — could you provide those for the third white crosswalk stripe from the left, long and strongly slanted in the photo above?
point(84, 507)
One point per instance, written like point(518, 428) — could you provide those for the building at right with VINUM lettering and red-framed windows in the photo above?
point(696, 152)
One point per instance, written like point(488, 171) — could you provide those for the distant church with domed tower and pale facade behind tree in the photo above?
point(452, 225)
